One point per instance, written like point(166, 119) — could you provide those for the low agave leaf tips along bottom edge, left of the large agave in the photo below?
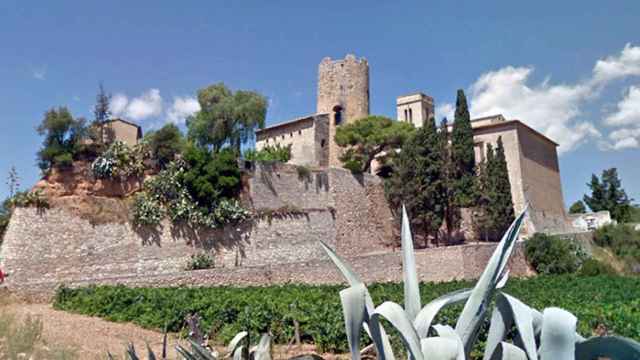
point(235, 350)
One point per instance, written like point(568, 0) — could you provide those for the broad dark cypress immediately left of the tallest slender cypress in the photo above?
point(417, 182)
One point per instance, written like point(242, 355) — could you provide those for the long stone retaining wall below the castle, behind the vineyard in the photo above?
point(45, 248)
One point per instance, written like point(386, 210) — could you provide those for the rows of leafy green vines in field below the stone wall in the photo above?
point(608, 300)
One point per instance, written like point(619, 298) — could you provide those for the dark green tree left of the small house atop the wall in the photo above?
point(62, 134)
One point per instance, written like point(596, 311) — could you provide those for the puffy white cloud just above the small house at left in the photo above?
point(147, 105)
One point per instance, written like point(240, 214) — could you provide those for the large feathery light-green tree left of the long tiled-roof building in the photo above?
point(226, 118)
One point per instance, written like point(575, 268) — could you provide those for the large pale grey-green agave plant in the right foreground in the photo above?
point(550, 335)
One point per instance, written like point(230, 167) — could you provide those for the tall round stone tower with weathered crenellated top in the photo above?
point(343, 93)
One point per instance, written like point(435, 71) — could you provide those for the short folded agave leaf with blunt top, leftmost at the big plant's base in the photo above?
point(353, 307)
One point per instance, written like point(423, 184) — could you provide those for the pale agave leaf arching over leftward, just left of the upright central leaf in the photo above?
point(399, 320)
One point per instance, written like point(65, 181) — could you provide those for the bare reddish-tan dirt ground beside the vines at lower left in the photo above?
point(90, 337)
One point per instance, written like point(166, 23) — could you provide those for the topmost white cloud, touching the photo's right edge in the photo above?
point(616, 67)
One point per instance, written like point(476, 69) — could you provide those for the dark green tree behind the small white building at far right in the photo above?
point(608, 194)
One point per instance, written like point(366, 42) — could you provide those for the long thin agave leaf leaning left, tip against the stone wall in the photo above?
point(378, 335)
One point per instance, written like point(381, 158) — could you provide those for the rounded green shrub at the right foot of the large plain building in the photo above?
point(553, 255)
